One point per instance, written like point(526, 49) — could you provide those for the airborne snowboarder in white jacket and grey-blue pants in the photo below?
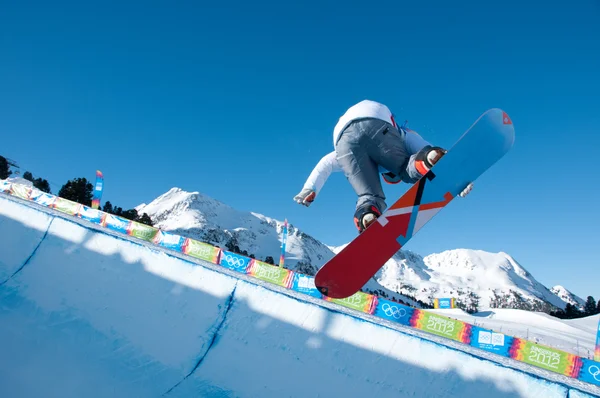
point(368, 142)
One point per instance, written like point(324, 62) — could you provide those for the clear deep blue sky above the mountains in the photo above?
point(238, 100)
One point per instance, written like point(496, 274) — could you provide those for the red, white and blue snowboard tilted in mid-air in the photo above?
point(488, 139)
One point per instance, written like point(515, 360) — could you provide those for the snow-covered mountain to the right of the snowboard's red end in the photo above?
point(478, 279)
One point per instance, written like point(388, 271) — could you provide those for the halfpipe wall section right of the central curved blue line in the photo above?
point(268, 352)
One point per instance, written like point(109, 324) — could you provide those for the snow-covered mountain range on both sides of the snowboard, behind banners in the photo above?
point(478, 279)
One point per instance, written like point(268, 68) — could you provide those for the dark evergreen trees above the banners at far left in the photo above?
point(78, 190)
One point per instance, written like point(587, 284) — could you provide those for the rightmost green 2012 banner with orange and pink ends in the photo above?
point(545, 357)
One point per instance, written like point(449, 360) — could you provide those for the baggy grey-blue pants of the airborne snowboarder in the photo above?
point(366, 147)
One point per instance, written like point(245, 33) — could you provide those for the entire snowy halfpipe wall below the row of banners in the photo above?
point(88, 312)
